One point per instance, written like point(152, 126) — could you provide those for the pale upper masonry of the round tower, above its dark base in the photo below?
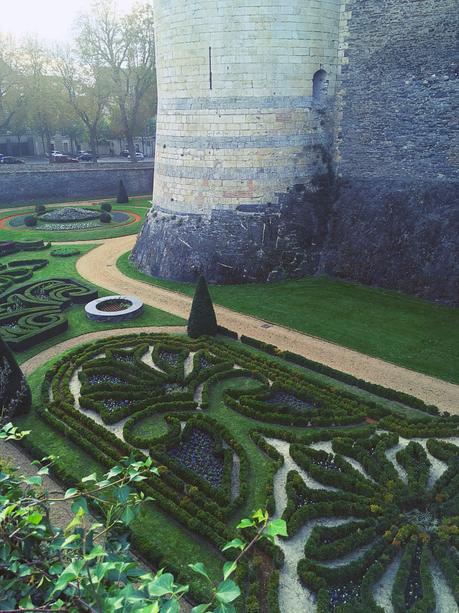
point(235, 122)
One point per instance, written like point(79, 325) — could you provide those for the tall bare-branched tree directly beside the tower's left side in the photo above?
point(125, 46)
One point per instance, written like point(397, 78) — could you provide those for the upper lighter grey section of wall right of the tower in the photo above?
point(400, 90)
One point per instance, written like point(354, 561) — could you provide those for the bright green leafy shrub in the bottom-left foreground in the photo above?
point(87, 566)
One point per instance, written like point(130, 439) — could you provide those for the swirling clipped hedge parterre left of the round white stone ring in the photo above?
point(32, 313)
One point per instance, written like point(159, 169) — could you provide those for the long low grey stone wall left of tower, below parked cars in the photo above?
point(35, 183)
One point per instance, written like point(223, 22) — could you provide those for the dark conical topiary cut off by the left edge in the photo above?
point(15, 394)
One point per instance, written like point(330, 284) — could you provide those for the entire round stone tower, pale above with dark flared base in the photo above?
point(246, 91)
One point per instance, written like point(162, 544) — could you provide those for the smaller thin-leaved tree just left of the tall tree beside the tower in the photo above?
point(87, 91)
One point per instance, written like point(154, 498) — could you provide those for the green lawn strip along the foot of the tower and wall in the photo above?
point(382, 323)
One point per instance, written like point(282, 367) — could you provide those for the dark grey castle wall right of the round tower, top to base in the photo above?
point(396, 223)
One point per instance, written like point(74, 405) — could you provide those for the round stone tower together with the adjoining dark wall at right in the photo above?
point(262, 101)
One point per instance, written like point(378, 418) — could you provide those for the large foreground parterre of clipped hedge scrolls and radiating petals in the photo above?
point(368, 493)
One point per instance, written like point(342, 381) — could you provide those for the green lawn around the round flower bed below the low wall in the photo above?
point(136, 205)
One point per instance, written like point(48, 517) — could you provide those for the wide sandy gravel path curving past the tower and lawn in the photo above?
point(99, 267)
